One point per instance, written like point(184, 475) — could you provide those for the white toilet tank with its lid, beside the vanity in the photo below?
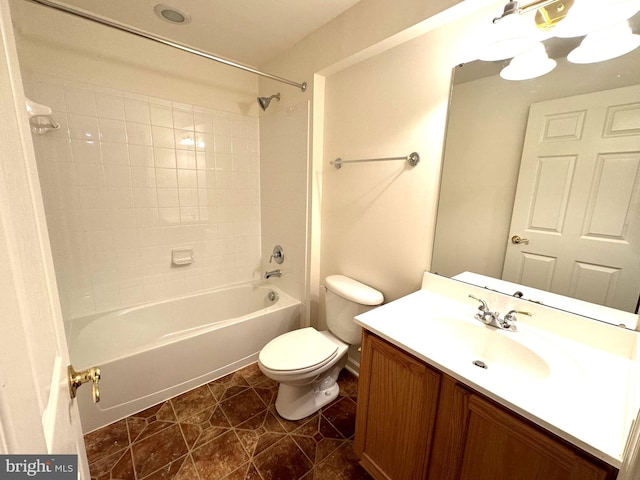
point(344, 299)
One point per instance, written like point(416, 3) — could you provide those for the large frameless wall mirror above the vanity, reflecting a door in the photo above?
point(553, 160)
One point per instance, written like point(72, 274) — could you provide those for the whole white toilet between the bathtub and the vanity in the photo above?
point(306, 362)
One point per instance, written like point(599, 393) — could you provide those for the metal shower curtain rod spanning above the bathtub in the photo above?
point(63, 8)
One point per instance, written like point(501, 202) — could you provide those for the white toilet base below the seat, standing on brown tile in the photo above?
point(298, 401)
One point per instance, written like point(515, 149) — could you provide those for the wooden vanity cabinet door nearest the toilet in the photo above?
point(397, 401)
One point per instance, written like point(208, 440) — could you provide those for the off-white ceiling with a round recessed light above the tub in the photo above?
point(247, 31)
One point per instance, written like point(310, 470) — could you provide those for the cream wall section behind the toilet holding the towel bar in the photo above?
point(378, 218)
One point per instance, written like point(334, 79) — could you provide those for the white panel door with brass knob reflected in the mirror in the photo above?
point(578, 199)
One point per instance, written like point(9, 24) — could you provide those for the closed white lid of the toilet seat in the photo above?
point(297, 350)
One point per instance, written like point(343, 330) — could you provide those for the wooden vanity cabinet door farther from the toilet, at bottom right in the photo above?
point(499, 445)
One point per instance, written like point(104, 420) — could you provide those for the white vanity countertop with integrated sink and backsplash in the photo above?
point(591, 394)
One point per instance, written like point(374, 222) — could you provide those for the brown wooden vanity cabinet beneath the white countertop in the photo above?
point(414, 422)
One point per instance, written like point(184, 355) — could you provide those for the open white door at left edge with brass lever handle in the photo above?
point(37, 414)
